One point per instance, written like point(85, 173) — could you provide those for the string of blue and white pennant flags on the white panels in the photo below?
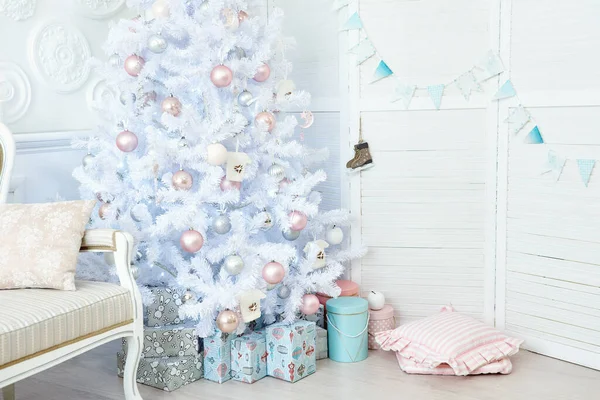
point(470, 81)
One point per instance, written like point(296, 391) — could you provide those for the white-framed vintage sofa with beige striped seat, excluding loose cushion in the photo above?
point(41, 328)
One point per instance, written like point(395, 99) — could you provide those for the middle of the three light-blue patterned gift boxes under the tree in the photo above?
point(249, 357)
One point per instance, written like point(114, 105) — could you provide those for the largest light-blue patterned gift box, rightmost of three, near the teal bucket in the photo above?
point(292, 350)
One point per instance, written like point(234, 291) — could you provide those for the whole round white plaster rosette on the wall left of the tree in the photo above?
point(60, 54)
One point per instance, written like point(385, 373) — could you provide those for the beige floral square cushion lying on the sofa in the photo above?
point(39, 243)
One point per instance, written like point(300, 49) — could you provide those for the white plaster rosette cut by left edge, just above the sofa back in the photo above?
point(15, 92)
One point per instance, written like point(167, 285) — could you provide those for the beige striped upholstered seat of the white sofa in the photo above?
point(34, 320)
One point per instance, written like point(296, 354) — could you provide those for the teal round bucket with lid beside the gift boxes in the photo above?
point(347, 325)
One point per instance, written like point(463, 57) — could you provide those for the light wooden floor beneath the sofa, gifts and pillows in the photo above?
point(93, 377)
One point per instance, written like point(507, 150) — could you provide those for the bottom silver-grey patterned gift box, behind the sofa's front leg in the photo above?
point(167, 373)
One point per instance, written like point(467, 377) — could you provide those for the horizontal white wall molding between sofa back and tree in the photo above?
point(44, 142)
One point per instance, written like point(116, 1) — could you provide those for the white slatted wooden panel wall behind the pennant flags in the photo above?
point(455, 210)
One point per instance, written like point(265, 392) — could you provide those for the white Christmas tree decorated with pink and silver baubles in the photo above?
point(198, 159)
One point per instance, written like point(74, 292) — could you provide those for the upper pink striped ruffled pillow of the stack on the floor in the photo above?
point(449, 338)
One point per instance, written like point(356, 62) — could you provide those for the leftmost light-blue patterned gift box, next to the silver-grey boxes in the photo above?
point(217, 357)
